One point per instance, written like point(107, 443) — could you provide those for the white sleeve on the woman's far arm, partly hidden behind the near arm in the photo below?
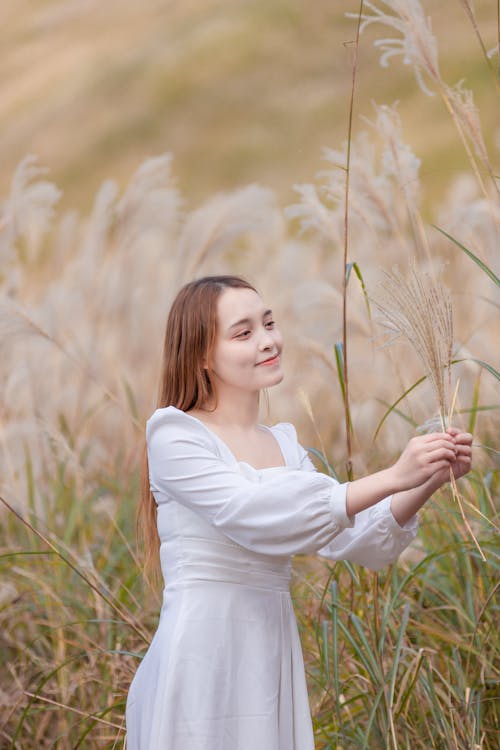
point(375, 540)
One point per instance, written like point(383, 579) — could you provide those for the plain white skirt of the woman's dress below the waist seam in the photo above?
point(223, 672)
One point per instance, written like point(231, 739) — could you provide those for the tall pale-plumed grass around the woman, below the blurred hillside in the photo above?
point(406, 657)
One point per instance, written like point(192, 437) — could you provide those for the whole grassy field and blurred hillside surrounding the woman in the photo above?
point(91, 255)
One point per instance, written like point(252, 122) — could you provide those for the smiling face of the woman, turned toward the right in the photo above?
point(247, 336)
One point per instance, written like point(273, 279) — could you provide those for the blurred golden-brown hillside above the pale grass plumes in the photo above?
point(242, 91)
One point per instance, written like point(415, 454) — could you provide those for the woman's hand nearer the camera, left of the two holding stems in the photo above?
point(424, 456)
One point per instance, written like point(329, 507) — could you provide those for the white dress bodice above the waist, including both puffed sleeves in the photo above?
point(218, 516)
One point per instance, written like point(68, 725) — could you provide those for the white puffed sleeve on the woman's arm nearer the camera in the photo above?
point(284, 512)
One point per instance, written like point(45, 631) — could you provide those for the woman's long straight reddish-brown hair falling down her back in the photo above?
point(186, 381)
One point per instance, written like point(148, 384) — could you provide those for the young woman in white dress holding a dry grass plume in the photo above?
point(231, 501)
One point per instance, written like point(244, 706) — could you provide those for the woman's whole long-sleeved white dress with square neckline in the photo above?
point(224, 670)
